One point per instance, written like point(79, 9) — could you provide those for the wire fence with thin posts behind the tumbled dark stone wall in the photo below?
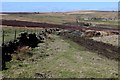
point(9, 34)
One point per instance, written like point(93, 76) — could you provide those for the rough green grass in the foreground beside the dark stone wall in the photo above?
point(59, 58)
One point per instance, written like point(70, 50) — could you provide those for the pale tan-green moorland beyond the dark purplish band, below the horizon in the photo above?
point(60, 17)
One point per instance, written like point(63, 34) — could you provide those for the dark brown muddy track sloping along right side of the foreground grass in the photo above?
point(107, 50)
